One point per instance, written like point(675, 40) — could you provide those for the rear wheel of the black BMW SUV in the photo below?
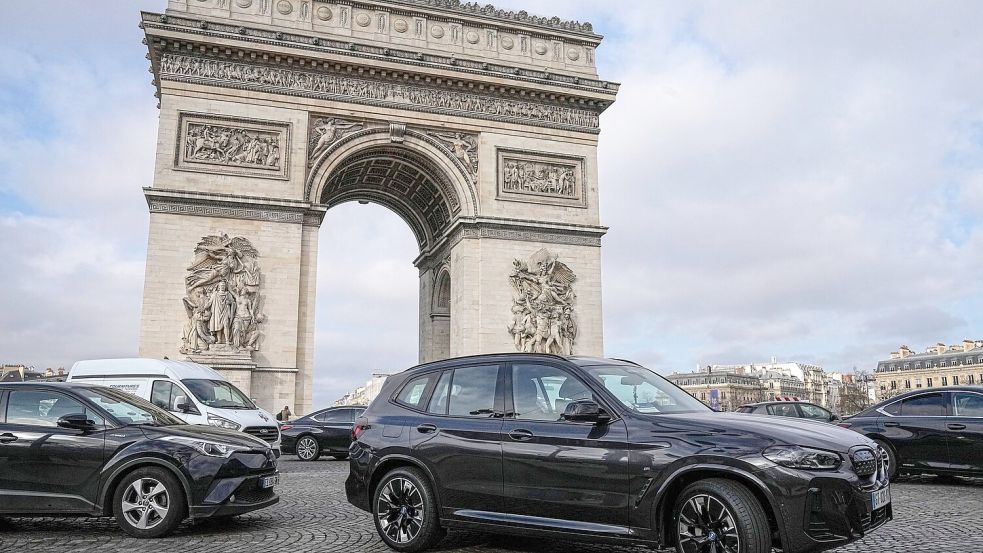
point(403, 502)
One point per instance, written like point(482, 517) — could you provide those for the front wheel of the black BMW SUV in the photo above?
point(723, 511)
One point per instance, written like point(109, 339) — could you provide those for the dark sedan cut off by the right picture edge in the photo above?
point(934, 431)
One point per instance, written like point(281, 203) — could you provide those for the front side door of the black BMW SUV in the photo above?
point(559, 473)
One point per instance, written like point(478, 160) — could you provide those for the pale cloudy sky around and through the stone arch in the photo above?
point(798, 180)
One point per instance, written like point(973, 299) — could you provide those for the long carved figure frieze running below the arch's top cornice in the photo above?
point(178, 67)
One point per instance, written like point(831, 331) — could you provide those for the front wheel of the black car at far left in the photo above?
point(149, 503)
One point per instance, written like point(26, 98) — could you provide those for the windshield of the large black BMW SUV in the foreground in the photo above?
point(644, 391)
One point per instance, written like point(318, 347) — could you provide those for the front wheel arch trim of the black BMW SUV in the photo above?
point(671, 488)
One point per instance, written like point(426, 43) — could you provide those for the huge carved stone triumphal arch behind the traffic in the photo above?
point(477, 126)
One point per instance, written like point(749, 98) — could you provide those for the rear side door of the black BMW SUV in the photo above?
point(459, 438)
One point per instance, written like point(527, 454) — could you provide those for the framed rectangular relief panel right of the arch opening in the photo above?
point(541, 178)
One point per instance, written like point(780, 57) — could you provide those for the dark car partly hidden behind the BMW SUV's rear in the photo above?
point(325, 431)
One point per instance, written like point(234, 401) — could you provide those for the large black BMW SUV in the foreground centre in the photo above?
point(602, 450)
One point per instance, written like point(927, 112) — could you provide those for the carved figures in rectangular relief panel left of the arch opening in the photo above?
point(231, 145)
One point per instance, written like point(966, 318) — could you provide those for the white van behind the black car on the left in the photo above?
point(195, 393)
